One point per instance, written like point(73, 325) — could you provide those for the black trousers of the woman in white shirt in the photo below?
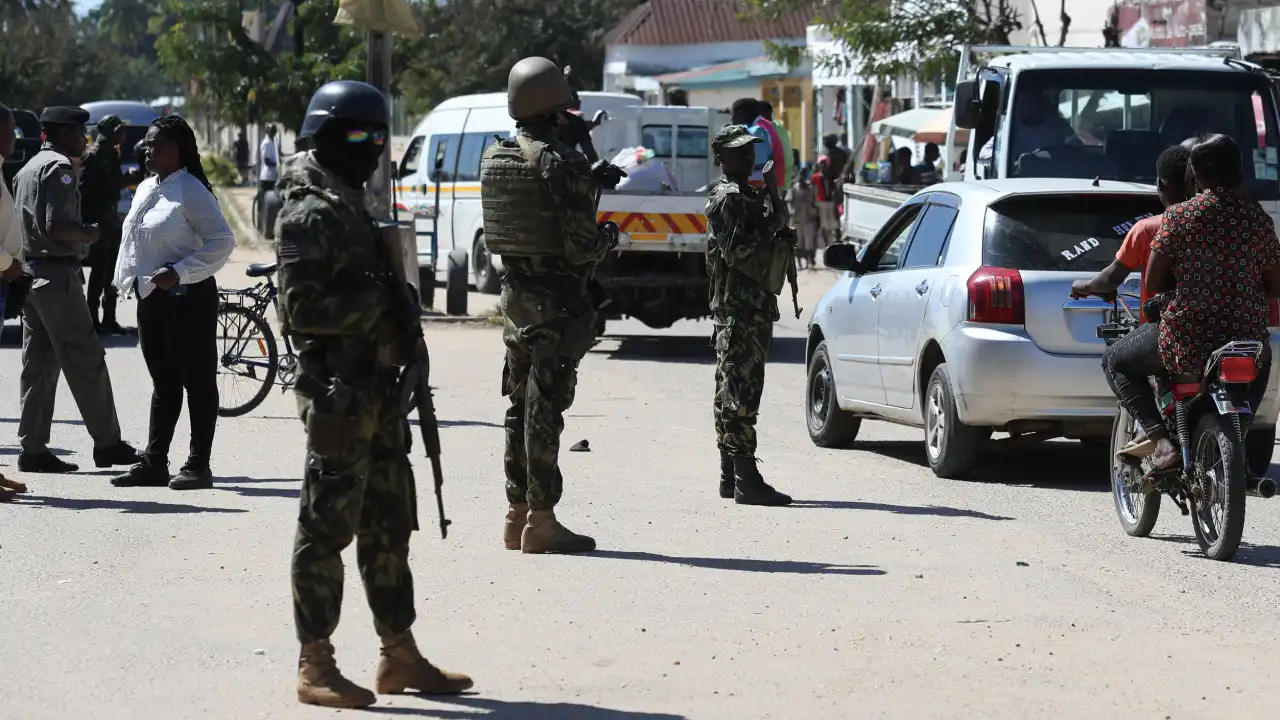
point(179, 334)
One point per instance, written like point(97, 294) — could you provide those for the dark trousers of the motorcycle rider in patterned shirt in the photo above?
point(1136, 357)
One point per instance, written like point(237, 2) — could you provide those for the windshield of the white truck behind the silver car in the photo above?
point(1114, 124)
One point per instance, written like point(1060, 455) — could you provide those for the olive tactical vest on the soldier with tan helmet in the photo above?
point(520, 215)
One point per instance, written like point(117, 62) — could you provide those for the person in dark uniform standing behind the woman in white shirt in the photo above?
point(100, 185)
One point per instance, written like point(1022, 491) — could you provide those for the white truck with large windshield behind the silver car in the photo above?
point(1094, 113)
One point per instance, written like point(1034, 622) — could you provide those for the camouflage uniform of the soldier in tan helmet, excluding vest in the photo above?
point(548, 326)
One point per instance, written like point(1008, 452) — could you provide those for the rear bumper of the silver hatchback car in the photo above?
point(1003, 377)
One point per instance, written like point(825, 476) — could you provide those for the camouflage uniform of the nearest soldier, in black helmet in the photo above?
point(339, 306)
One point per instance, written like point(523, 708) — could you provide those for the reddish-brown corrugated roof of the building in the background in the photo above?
point(696, 22)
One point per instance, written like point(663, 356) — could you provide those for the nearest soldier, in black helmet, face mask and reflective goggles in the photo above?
point(354, 326)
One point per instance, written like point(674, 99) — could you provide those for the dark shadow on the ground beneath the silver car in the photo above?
point(1053, 466)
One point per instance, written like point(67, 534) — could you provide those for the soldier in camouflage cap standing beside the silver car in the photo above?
point(748, 250)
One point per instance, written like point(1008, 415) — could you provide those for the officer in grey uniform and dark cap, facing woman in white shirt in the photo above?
point(58, 335)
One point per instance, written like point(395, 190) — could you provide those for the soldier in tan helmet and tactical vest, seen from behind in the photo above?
point(538, 197)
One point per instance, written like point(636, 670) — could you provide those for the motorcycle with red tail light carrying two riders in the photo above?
point(1209, 417)
